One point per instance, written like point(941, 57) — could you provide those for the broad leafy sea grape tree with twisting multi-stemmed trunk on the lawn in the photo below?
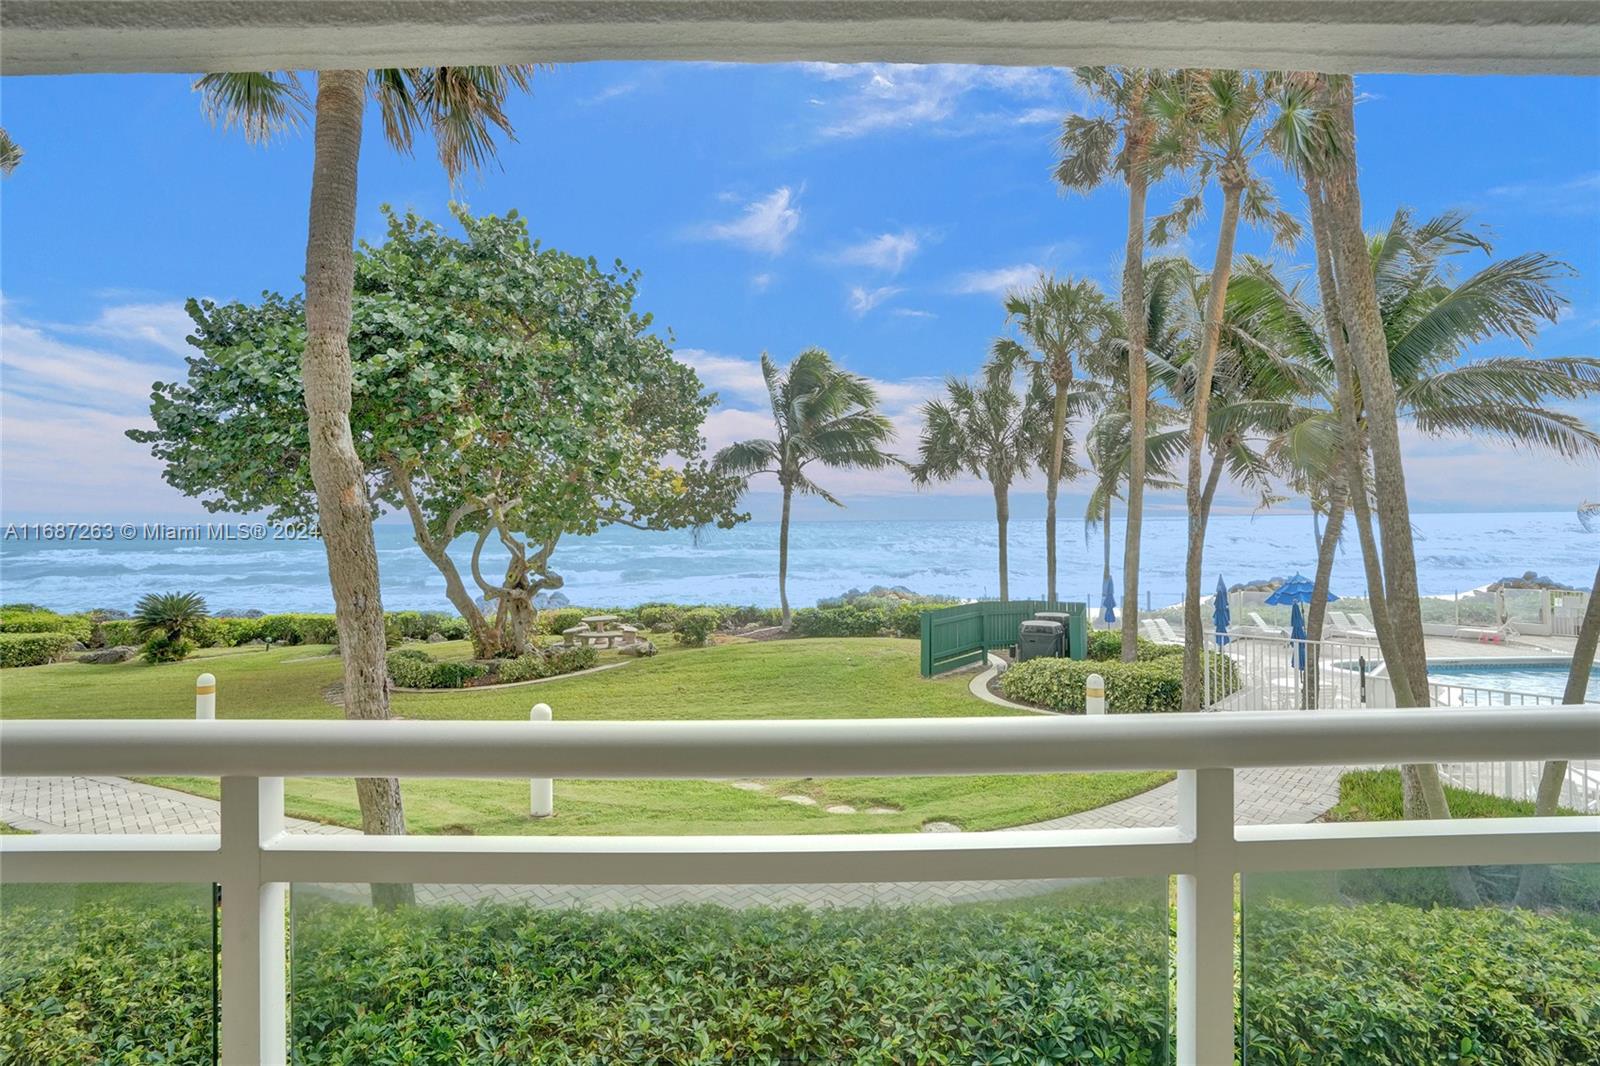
point(503, 393)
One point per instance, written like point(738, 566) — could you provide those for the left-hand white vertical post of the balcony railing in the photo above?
point(255, 1003)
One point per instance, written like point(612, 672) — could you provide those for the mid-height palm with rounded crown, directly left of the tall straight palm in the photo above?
point(1060, 323)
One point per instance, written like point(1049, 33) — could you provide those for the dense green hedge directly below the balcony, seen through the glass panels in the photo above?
point(1050, 982)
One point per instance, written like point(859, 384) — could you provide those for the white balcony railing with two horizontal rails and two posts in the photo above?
point(254, 859)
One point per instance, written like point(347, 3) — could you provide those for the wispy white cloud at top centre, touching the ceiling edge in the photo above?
point(878, 97)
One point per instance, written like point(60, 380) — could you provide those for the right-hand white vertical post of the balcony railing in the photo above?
point(1206, 920)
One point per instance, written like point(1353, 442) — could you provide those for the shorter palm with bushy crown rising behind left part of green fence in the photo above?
point(986, 431)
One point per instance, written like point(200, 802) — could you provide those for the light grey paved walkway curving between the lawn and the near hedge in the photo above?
point(121, 806)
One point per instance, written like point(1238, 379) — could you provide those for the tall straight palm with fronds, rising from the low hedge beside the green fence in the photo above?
point(1090, 156)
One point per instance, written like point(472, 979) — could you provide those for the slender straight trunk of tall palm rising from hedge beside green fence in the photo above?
point(1134, 315)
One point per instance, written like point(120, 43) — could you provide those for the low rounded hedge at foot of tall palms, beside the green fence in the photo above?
point(1151, 686)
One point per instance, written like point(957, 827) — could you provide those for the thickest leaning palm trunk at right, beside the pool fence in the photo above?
point(1364, 331)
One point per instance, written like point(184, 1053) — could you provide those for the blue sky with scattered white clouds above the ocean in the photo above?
point(876, 212)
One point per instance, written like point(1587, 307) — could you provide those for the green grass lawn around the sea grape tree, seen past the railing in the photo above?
point(782, 679)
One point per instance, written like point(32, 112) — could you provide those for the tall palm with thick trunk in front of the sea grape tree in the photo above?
point(462, 106)
